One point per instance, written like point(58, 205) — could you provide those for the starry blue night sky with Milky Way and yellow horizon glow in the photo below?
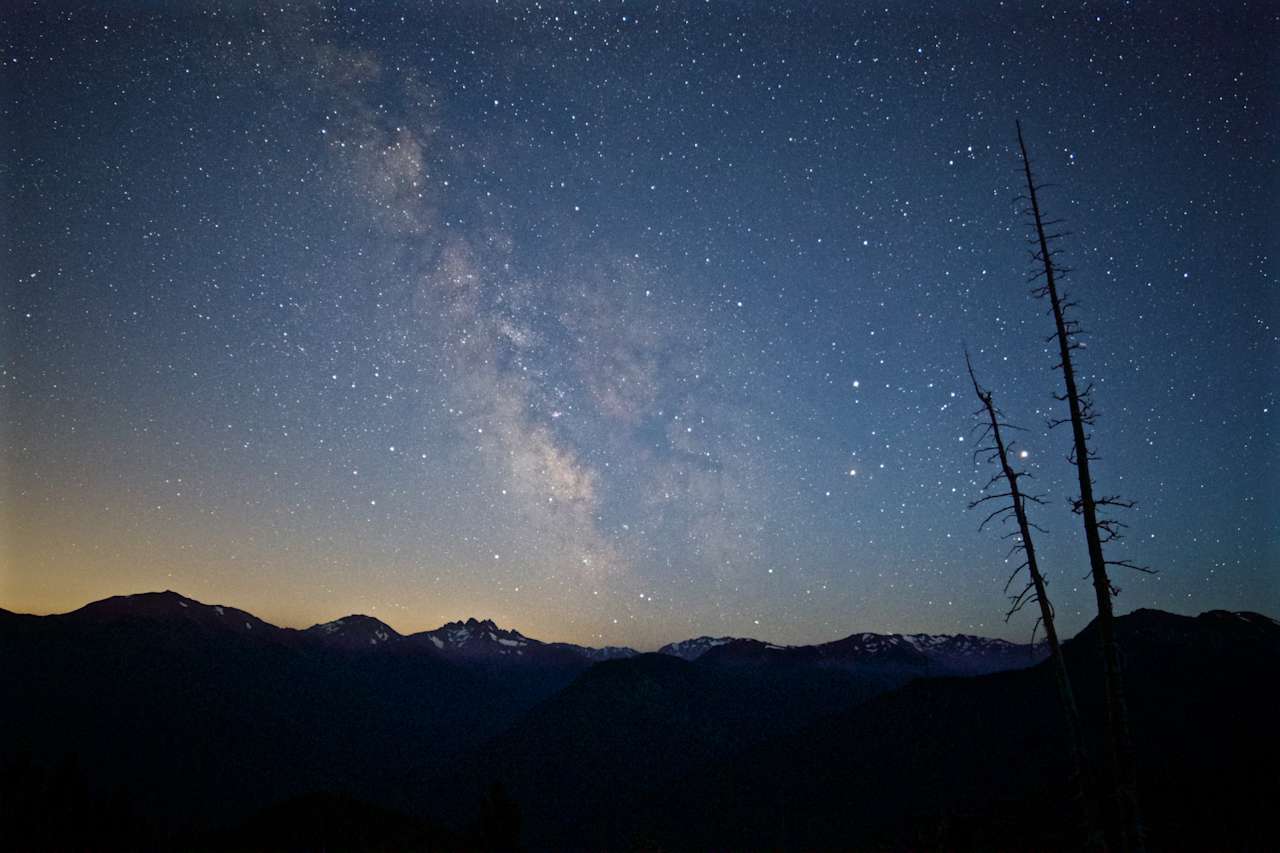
point(623, 323)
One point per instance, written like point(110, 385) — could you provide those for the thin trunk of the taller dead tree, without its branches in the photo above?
point(1119, 742)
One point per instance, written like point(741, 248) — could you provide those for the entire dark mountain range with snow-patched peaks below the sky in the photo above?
point(214, 729)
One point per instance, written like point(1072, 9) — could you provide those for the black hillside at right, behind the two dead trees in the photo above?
point(980, 764)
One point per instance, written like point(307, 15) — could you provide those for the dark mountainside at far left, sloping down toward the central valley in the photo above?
point(204, 715)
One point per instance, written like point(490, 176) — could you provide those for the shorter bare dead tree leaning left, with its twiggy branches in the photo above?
point(1005, 486)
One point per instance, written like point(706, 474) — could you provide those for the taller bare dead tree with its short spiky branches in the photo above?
point(1098, 531)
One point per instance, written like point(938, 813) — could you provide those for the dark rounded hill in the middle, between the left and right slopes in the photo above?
point(625, 728)
